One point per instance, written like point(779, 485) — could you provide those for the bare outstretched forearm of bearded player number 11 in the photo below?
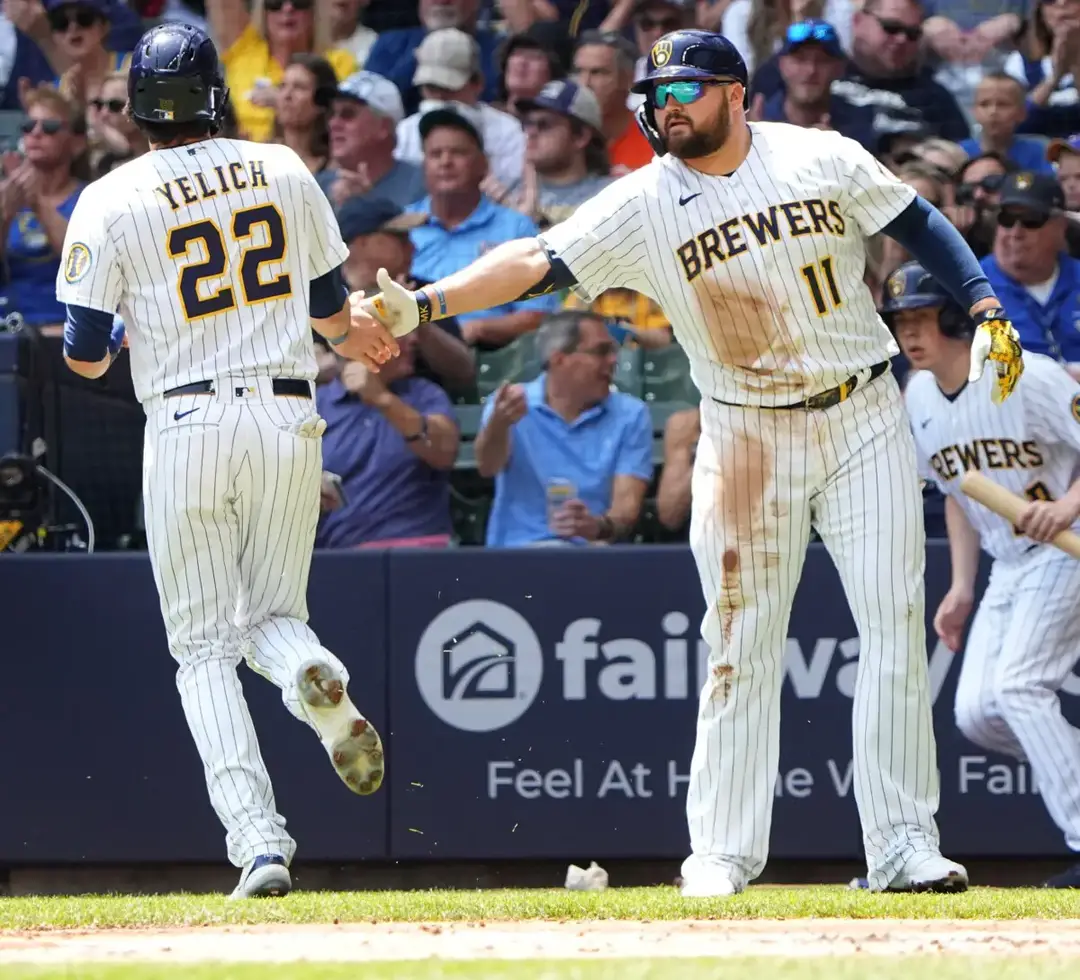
point(502, 276)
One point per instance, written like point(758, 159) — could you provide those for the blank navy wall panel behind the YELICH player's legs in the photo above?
point(97, 762)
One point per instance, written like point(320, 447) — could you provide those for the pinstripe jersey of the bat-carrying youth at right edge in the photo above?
point(1030, 444)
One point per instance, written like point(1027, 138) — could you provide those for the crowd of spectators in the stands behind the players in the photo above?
point(439, 129)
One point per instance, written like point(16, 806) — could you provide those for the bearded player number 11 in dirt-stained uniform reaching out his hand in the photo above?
point(752, 239)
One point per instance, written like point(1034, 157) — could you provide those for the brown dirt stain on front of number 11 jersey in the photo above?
point(747, 331)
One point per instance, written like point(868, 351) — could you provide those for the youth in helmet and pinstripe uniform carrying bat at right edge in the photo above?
point(1025, 639)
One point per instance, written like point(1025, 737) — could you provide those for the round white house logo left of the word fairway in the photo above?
point(479, 666)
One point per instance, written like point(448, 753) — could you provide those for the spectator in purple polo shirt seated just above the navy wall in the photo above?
point(394, 439)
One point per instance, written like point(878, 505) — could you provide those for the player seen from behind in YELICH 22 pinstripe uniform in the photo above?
point(219, 254)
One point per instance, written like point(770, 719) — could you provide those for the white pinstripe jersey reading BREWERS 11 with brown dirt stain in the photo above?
point(760, 273)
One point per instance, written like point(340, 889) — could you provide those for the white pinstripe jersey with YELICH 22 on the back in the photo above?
point(207, 251)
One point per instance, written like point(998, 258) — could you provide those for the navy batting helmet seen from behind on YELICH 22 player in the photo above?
point(175, 77)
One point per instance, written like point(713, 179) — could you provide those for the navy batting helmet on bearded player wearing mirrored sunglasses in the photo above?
point(687, 56)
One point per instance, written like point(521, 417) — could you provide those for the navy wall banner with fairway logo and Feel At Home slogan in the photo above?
point(544, 705)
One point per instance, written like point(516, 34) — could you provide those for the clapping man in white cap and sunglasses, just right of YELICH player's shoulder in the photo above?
point(363, 133)
